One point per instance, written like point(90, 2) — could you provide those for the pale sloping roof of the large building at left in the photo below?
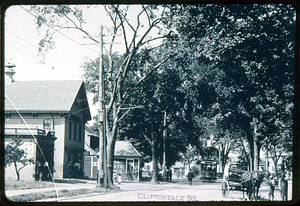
point(42, 96)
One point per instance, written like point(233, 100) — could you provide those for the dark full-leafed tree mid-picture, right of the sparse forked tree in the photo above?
point(163, 105)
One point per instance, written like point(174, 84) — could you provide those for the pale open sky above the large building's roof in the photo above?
point(64, 61)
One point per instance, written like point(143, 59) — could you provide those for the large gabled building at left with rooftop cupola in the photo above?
point(58, 107)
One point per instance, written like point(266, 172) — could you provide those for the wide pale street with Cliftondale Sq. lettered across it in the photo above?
point(178, 190)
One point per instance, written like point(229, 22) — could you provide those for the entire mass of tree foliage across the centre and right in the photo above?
point(229, 74)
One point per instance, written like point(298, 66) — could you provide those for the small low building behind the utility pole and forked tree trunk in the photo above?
point(127, 160)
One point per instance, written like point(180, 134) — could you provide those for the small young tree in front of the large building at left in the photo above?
point(15, 155)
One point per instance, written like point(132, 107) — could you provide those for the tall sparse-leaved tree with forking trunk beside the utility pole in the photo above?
point(135, 34)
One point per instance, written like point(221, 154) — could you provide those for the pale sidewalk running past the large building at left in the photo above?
point(60, 184)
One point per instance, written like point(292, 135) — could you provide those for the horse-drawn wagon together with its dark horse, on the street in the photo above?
point(242, 180)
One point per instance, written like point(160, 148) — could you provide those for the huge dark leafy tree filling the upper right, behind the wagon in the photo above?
point(253, 48)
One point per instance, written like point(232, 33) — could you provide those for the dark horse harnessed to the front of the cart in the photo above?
point(252, 181)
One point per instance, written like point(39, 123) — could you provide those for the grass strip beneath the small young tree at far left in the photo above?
point(11, 184)
